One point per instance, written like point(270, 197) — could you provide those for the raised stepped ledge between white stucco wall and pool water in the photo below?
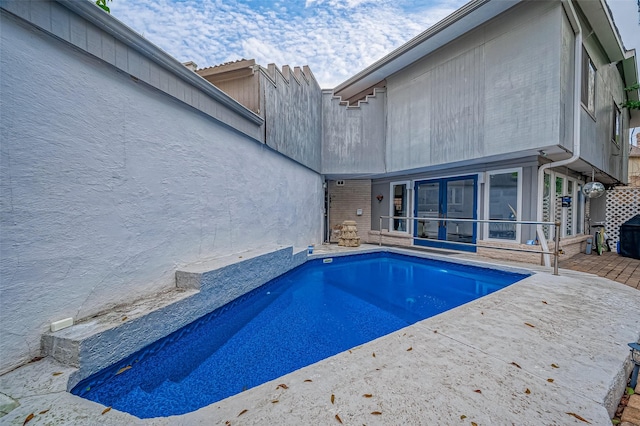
point(100, 341)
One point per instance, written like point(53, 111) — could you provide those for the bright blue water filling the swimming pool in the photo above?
point(313, 312)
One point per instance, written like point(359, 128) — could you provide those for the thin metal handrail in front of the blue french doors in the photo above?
point(556, 234)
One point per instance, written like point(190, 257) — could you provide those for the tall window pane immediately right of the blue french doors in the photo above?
point(503, 201)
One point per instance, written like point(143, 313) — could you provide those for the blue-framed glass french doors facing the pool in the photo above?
point(442, 201)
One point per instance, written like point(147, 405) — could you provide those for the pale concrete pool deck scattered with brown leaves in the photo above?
point(546, 350)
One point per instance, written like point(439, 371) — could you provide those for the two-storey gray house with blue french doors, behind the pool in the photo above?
point(500, 111)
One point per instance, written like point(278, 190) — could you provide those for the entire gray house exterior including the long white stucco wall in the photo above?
point(132, 165)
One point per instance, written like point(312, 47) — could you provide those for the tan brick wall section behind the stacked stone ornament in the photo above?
point(344, 201)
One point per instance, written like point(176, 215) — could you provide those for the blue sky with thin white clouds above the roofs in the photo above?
point(336, 38)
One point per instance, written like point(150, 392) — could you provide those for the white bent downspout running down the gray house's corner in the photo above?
point(577, 85)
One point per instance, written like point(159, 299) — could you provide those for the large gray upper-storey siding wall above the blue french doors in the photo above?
point(493, 91)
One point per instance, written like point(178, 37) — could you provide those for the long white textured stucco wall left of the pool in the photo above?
point(107, 186)
